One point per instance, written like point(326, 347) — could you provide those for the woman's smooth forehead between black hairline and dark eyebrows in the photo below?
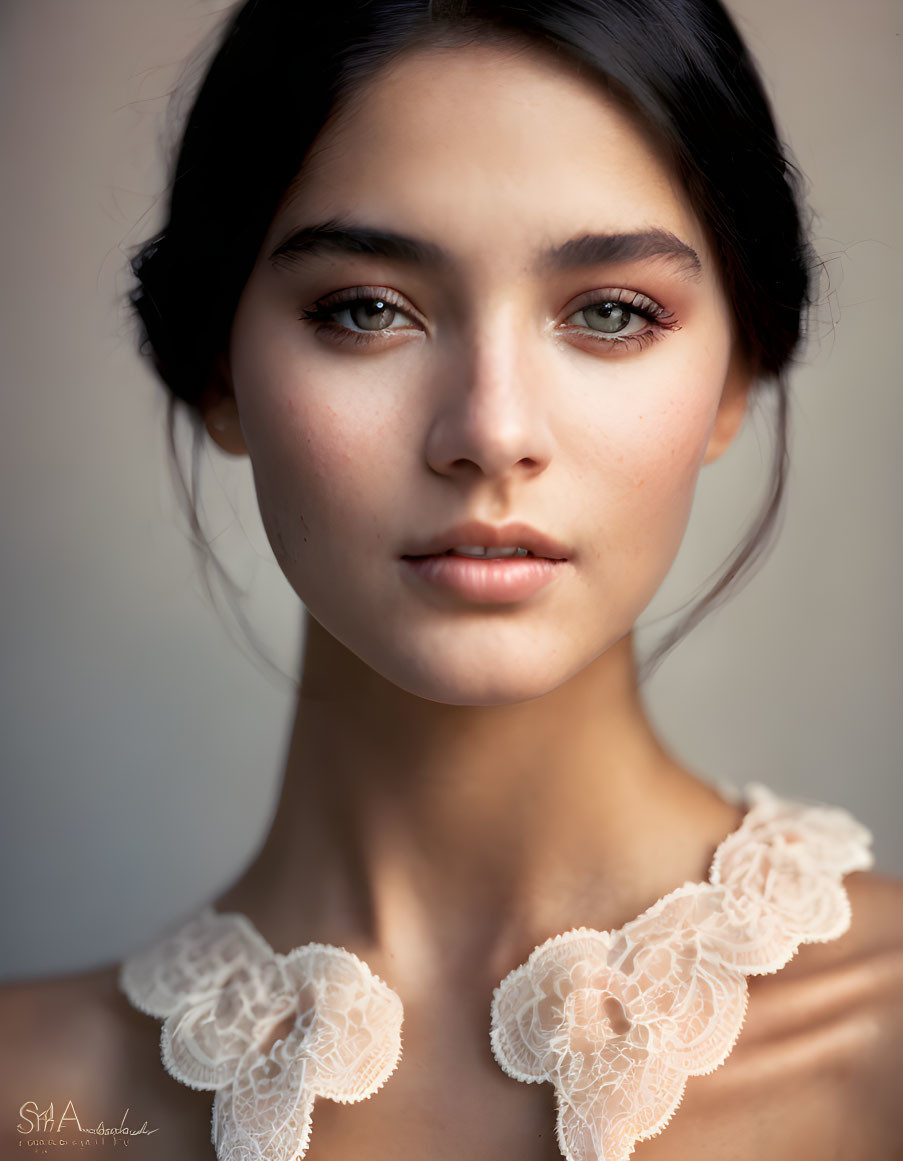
point(489, 149)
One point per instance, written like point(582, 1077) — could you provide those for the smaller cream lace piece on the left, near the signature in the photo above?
point(269, 1033)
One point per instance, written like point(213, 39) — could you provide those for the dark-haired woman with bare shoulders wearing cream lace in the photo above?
point(469, 278)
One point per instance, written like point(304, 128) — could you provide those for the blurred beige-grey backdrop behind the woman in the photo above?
point(141, 746)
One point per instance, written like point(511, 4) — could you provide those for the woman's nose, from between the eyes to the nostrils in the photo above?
point(492, 414)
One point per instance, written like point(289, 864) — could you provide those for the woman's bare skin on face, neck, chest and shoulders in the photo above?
point(466, 781)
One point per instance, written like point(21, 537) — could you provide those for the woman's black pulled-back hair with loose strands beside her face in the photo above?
point(284, 69)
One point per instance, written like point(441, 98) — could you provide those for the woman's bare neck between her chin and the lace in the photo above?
point(439, 835)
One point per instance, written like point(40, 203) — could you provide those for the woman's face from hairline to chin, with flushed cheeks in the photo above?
point(497, 371)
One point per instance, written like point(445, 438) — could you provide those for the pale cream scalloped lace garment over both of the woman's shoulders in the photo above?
point(617, 1021)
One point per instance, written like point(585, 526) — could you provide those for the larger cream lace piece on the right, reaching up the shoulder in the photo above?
point(618, 1021)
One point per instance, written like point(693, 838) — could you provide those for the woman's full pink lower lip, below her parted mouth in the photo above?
point(495, 581)
